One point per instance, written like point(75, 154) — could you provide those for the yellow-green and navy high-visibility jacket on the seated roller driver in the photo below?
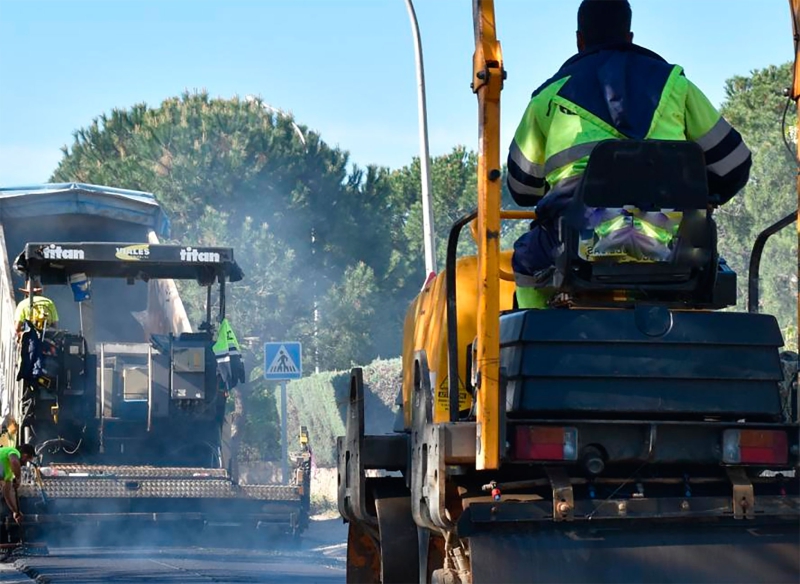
point(619, 91)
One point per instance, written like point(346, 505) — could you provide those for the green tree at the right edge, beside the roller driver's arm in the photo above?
point(755, 105)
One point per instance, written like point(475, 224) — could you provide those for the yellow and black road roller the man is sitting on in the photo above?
point(636, 429)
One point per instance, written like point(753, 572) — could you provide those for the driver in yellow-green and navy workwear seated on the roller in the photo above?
point(611, 89)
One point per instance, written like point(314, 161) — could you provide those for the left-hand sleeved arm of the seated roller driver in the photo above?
point(526, 178)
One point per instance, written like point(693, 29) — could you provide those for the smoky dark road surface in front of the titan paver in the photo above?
point(320, 557)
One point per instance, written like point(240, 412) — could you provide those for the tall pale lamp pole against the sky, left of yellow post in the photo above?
point(429, 238)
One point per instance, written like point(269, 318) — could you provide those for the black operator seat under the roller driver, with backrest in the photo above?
point(651, 176)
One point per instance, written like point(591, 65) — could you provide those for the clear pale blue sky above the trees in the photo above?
point(344, 67)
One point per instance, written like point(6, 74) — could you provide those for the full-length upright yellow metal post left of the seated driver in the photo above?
point(487, 83)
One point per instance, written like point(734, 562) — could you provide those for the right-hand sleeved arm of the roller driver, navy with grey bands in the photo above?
point(728, 159)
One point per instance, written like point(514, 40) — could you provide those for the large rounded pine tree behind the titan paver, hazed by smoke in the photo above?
point(230, 172)
